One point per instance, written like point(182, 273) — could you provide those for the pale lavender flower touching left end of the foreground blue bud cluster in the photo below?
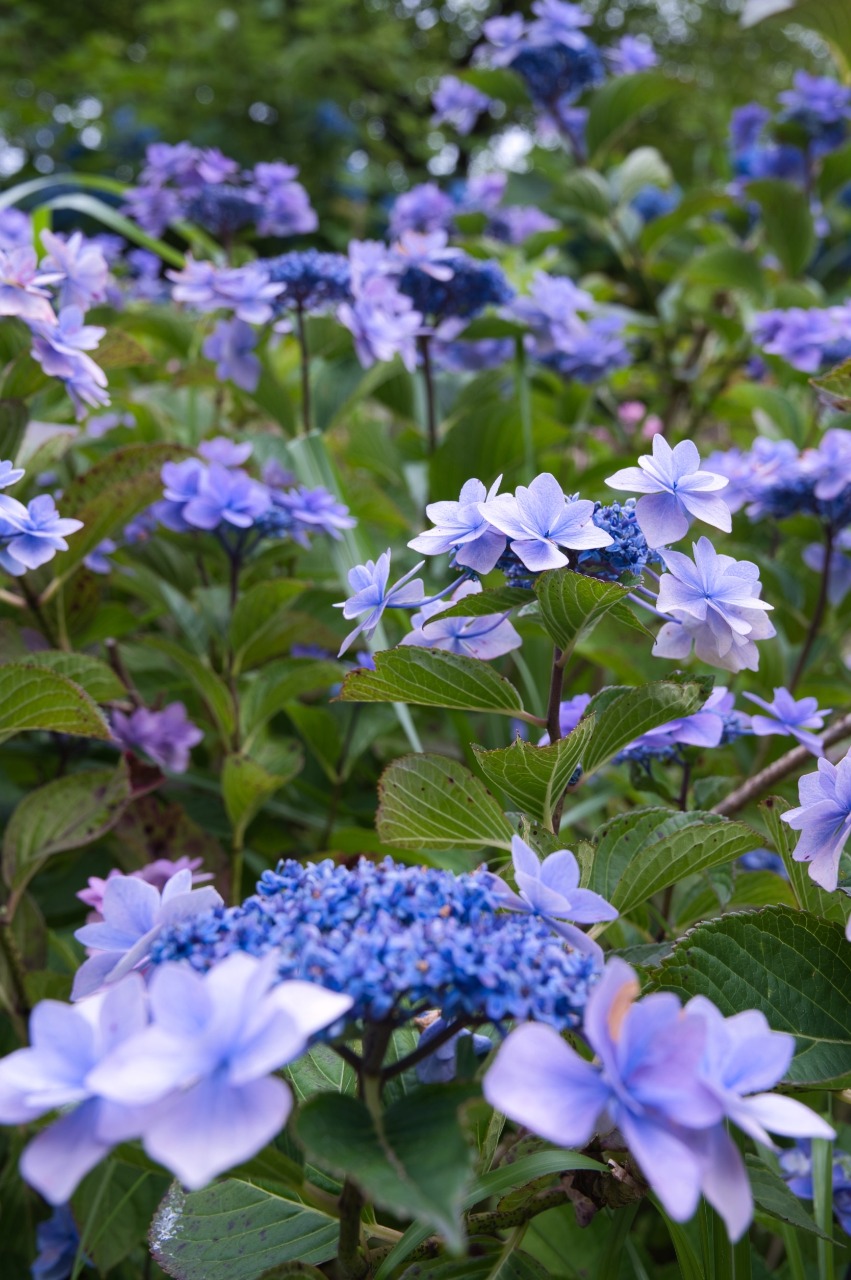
point(135, 913)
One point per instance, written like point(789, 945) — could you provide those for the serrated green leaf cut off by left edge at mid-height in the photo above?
point(38, 698)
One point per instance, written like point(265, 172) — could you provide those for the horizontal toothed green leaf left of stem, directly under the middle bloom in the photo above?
point(432, 678)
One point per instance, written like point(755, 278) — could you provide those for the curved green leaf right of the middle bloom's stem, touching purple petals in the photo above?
point(625, 714)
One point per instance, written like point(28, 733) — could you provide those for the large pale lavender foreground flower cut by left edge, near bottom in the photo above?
point(67, 1043)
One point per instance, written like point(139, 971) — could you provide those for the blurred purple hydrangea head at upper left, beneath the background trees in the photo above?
point(204, 186)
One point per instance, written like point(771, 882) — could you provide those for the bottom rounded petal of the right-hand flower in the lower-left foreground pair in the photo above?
point(204, 1132)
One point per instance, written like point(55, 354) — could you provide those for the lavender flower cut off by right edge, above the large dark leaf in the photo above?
point(823, 819)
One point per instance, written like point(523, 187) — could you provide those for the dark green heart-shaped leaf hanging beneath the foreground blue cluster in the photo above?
point(414, 1160)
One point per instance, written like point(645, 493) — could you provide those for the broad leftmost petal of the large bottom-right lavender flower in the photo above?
point(541, 1082)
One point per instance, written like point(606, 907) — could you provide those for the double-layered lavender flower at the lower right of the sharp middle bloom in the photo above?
point(715, 601)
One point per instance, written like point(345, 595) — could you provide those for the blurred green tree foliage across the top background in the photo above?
point(340, 88)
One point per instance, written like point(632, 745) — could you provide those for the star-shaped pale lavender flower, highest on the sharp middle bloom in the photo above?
point(675, 490)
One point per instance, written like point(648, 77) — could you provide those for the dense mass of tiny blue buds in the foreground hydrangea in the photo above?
point(399, 940)
